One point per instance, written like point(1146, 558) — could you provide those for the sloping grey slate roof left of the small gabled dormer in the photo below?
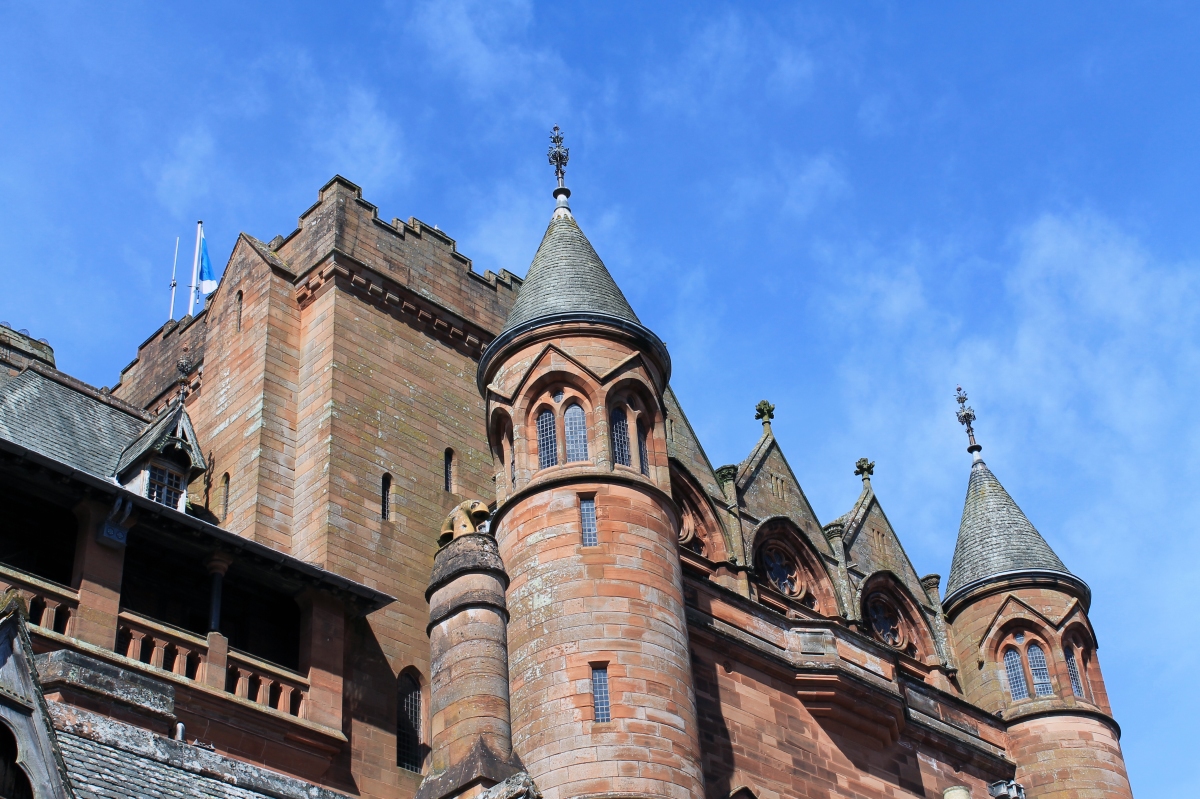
point(61, 423)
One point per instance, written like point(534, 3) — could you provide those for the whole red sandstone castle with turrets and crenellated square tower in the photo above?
point(375, 525)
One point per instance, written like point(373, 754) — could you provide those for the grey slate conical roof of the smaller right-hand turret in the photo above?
point(995, 537)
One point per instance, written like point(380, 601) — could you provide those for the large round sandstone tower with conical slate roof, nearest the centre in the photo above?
point(602, 693)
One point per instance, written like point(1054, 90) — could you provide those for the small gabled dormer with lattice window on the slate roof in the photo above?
point(161, 462)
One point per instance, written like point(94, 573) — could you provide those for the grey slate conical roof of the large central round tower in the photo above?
point(567, 277)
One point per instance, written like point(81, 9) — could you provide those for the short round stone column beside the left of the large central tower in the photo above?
point(470, 718)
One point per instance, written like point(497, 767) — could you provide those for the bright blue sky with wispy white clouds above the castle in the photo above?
point(844, 208)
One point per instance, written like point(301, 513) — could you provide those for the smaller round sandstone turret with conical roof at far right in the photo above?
point(1027, 648)
